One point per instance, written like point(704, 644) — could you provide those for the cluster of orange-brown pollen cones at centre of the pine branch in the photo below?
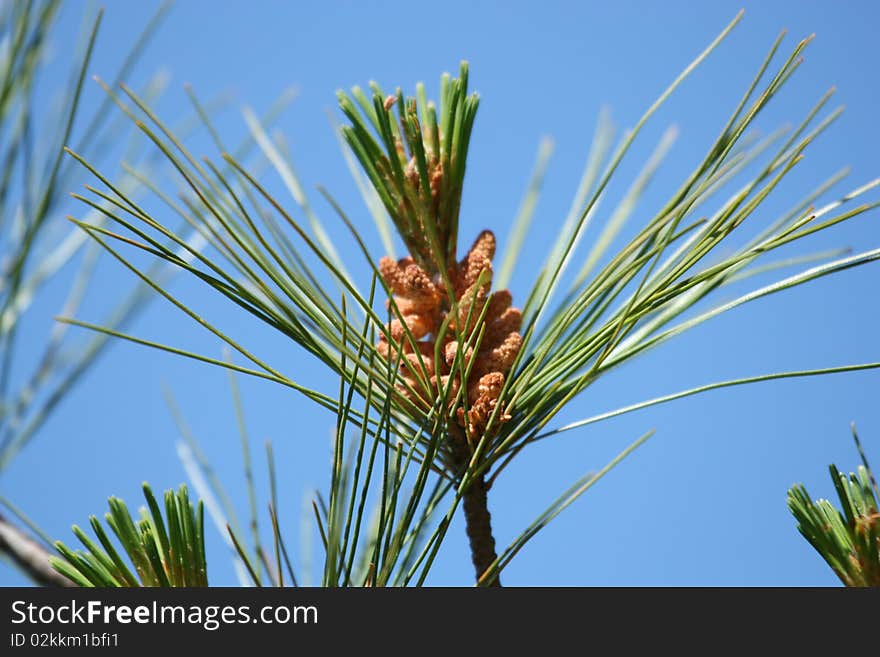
point(424, 306)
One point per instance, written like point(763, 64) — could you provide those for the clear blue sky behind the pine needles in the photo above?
point(703, 503)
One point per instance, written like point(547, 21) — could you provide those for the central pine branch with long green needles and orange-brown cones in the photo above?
point(451, 355)
